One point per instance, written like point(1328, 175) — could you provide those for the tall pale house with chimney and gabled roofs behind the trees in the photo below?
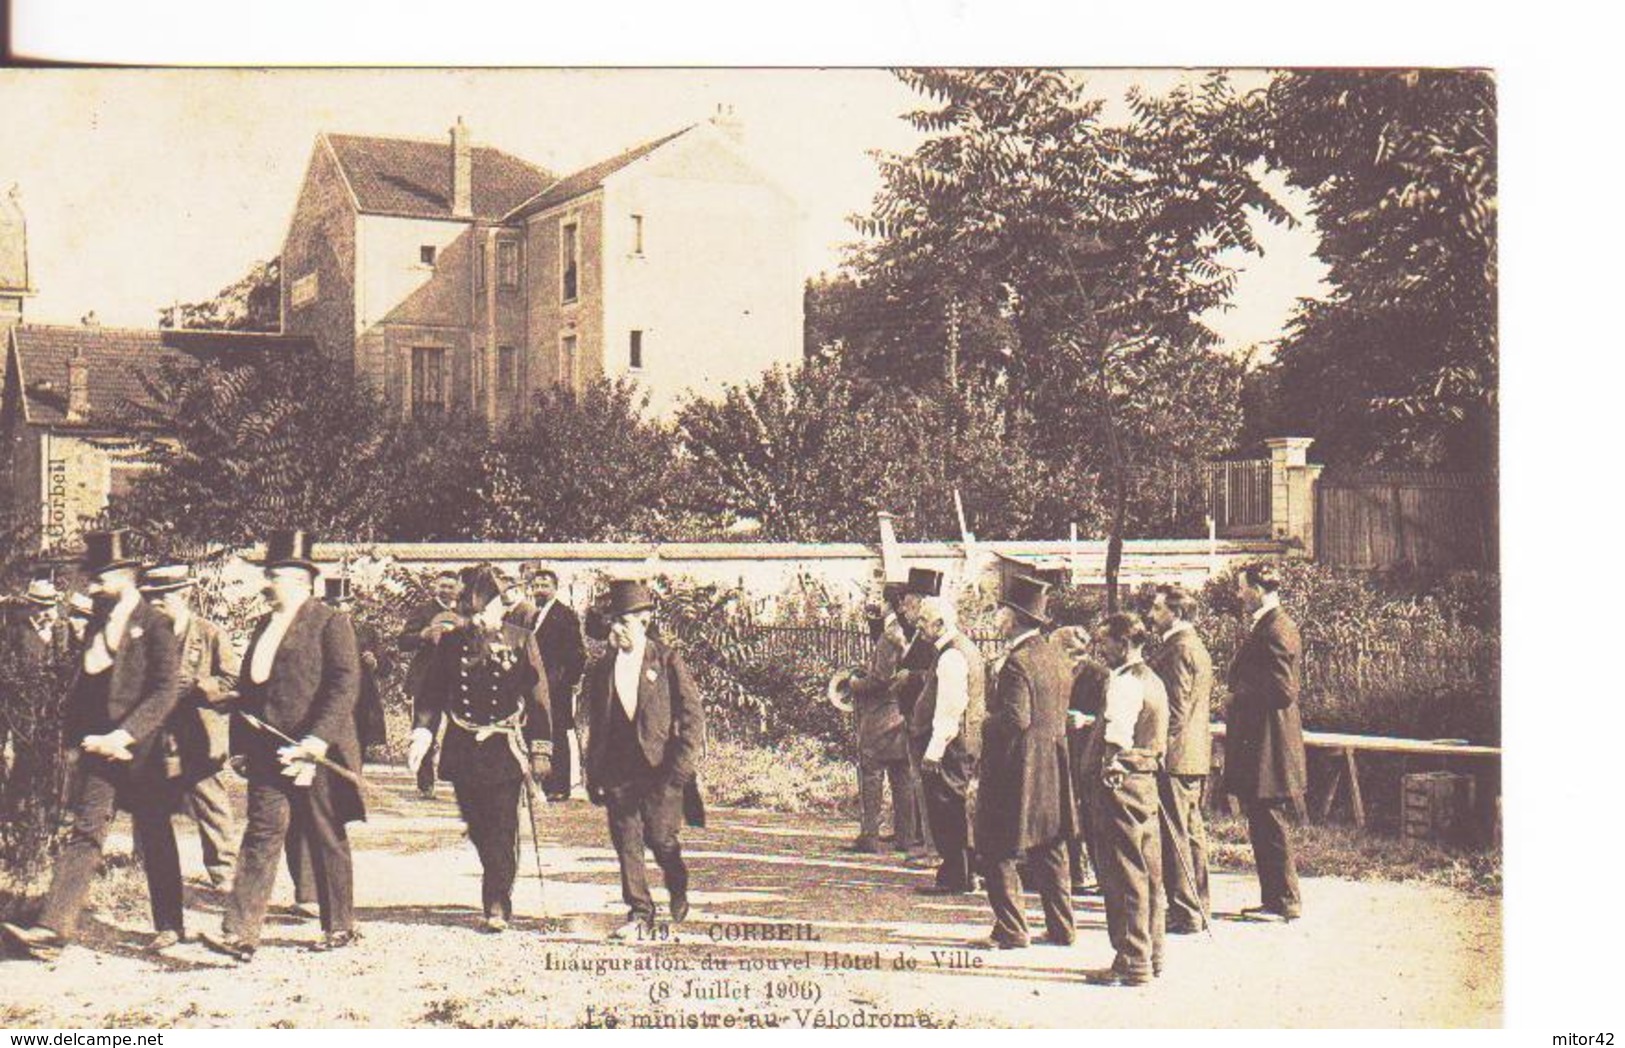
point(457, 277)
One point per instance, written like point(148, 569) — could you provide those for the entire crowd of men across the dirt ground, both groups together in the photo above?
point(1012, 769)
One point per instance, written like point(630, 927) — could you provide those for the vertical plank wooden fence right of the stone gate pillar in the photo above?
point(1402, 519)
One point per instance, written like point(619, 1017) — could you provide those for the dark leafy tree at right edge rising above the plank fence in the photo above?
point(1400, 363)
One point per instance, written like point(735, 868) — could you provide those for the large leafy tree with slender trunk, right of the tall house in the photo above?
point(1085, 253)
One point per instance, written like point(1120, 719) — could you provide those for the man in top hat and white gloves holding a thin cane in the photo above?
point(300, 682)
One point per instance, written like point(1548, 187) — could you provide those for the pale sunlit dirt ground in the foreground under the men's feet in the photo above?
point(1366, 956)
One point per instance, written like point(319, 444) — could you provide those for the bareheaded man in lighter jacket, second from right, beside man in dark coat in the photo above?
point(1189, 675)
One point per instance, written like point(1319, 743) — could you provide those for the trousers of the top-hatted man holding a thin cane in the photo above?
point(275, 812)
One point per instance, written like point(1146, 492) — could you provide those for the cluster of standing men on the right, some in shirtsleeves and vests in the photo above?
point(1078, 745)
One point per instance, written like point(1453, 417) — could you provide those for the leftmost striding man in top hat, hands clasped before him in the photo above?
point(126, 690)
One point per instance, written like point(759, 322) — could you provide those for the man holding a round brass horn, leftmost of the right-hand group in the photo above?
point(883, 734)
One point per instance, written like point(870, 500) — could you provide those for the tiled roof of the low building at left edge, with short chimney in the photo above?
point(118, 362)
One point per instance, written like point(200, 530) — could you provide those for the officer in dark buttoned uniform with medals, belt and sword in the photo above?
point(488, 685)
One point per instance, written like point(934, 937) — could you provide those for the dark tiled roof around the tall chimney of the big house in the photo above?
point(414, 178)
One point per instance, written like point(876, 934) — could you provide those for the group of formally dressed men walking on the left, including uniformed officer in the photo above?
point(160, 701)
